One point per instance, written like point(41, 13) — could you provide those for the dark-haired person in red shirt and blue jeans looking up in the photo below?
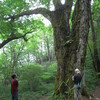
point(14, 87)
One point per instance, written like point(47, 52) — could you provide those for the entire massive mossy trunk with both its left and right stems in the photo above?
point(70, 49)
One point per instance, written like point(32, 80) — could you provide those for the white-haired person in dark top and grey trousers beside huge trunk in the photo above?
point(77, 84)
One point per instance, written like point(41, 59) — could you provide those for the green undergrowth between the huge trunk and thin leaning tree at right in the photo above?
point(90, 73)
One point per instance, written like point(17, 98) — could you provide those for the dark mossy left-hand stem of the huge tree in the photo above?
point(62, 50)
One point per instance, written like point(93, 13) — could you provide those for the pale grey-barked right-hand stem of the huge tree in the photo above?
point(83, 23)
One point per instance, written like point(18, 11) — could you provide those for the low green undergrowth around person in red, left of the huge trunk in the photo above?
point(34, 81)
